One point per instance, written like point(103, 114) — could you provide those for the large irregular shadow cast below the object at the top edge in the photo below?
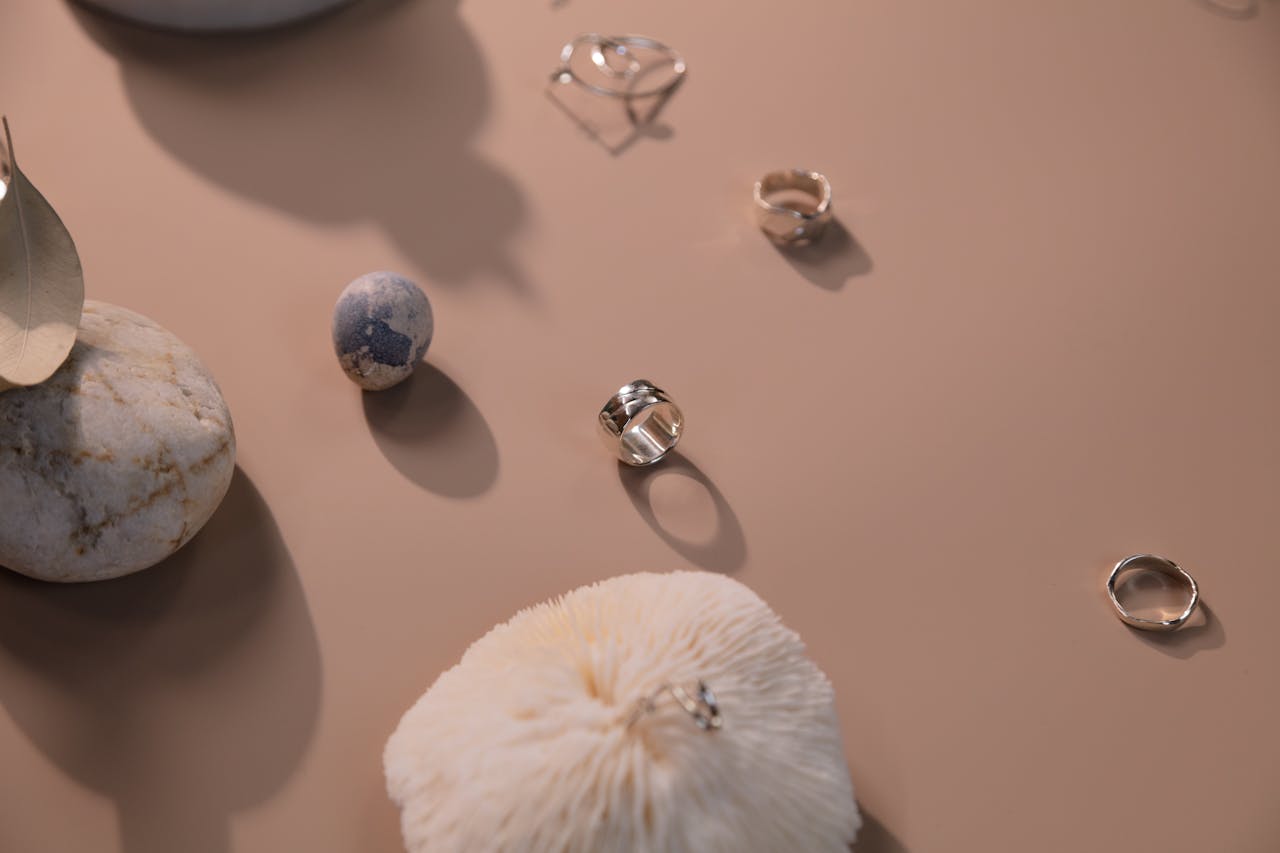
point(368, 113)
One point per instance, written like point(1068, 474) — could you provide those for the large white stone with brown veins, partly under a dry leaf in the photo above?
point(117, 460)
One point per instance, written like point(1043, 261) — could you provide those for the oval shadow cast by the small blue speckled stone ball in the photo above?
point(435, 435)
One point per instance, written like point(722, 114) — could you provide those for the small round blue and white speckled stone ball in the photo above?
point(382, 327)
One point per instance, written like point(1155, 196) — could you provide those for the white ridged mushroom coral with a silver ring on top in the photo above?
point(525, 745)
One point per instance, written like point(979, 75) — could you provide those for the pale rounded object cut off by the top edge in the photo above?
point(216, 15)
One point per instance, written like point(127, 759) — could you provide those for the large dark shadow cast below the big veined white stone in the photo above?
point(185, 694)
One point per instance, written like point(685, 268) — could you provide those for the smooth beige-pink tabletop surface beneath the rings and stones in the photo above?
point(1048, 341)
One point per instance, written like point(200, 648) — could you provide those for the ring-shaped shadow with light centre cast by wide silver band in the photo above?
point(726, 549)
